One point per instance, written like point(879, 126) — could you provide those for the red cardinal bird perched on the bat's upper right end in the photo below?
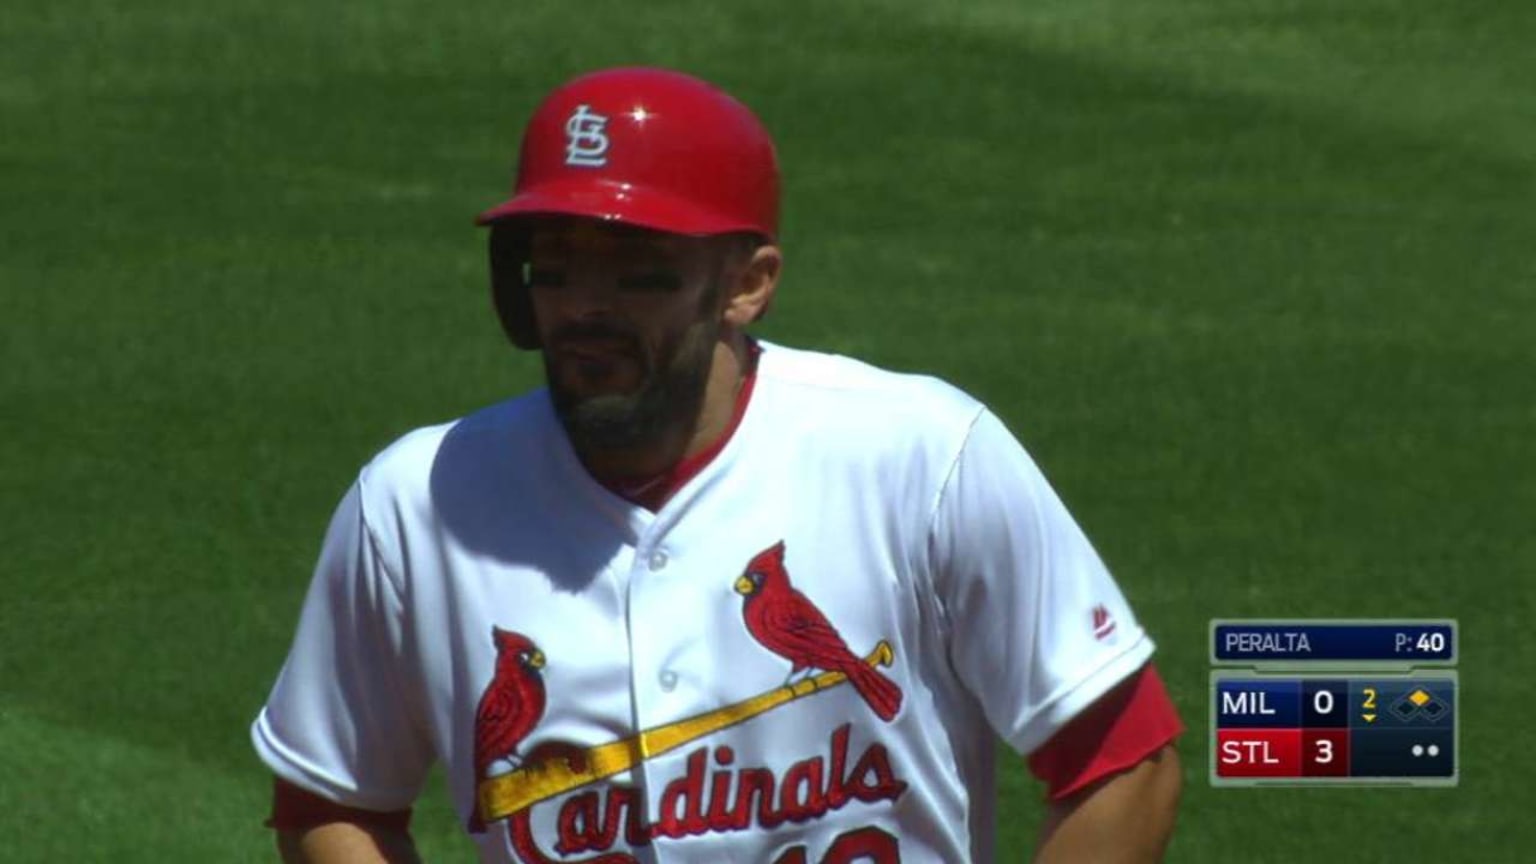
point(787, 623)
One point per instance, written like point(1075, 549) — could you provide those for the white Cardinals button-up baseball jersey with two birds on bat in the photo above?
point(804, 657)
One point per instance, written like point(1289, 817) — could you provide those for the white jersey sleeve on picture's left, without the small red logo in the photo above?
point(343, 720)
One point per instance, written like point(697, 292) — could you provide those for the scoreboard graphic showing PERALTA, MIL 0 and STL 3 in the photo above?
point(1334, 703)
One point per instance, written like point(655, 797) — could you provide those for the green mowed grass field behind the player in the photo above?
point(1256, 282)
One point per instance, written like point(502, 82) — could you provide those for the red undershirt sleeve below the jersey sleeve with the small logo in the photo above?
point(1124, 728)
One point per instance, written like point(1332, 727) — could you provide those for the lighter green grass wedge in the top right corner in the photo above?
point(1418, 67)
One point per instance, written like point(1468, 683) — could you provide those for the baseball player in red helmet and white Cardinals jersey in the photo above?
point(704, 599)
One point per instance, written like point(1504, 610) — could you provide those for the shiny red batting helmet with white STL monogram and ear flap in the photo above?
point(643, 147)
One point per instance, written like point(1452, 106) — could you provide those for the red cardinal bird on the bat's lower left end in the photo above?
point(511, 708)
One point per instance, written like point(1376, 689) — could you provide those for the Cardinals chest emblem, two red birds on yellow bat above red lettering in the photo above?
point(713, 796)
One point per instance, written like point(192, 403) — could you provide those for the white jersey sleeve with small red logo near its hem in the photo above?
point(1038, 628)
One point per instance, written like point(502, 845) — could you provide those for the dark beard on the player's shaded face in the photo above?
point(669, 399)
